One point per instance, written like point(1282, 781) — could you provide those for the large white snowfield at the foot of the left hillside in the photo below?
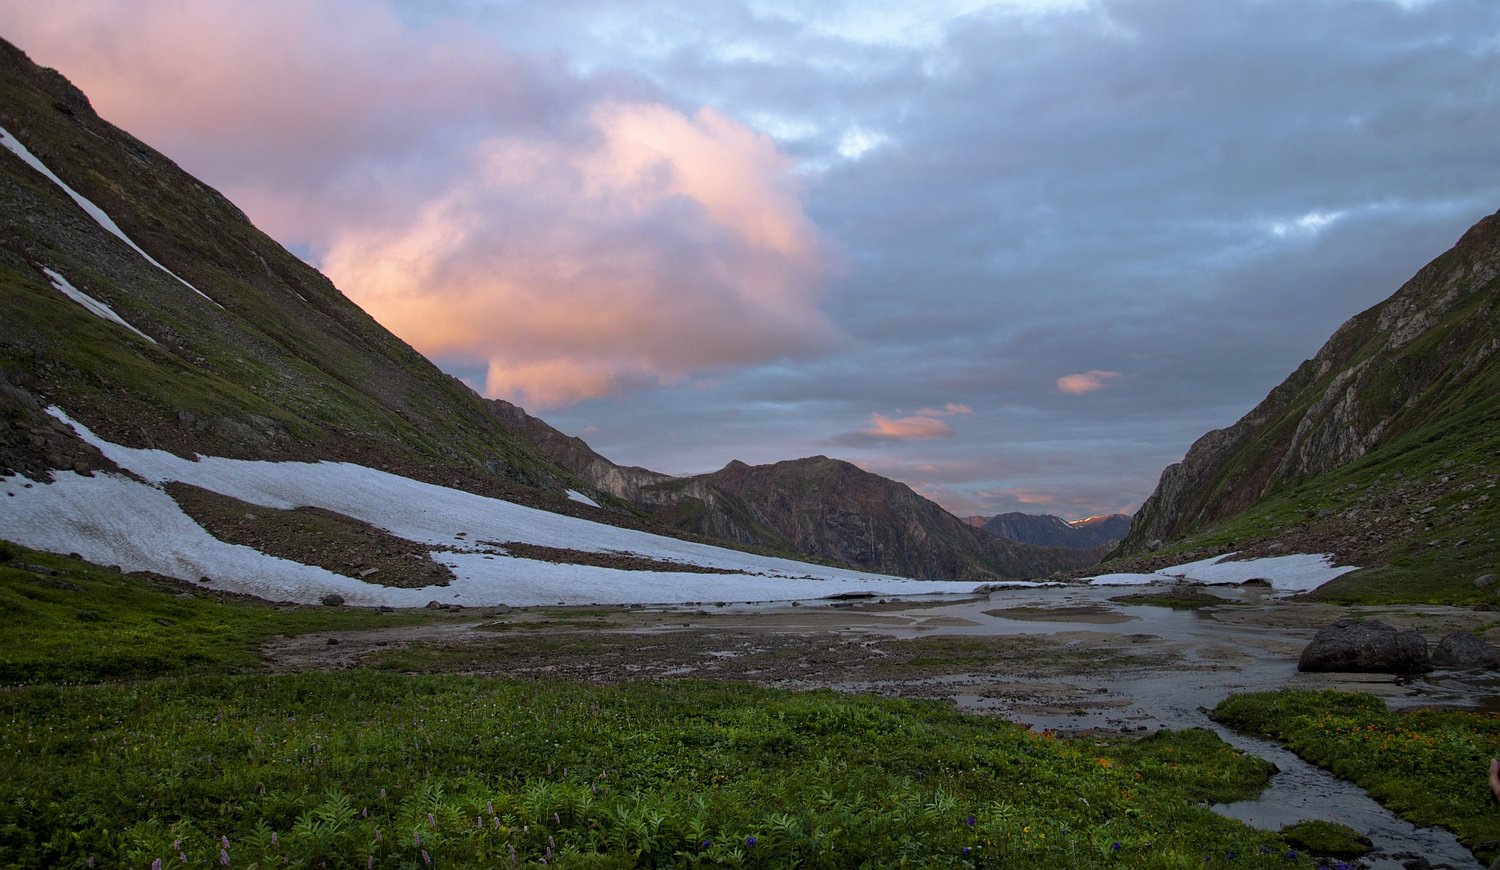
point(112, 520)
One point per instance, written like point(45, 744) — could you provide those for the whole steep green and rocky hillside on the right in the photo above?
point(1384, 449)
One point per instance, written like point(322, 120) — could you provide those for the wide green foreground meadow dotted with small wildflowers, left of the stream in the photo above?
point(367, 767)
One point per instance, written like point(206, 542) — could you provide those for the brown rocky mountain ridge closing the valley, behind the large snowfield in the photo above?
point(818, 508)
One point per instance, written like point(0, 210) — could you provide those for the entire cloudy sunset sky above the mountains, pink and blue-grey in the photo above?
point(1018, 254)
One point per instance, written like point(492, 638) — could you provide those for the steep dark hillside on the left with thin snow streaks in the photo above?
point(149, 308)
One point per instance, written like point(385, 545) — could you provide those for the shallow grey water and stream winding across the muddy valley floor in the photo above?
point(1220, 659)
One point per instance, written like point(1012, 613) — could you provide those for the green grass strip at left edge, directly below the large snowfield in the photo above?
point(73, 622)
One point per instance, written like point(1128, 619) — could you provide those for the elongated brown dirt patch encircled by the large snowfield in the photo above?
point(314, 536)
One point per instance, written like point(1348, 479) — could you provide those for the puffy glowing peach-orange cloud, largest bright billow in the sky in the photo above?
point(659, 247)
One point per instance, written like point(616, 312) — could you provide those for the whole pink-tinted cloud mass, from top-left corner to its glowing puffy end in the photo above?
point(568, 235)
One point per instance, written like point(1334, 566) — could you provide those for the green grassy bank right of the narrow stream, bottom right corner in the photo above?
point(1430, 767)
